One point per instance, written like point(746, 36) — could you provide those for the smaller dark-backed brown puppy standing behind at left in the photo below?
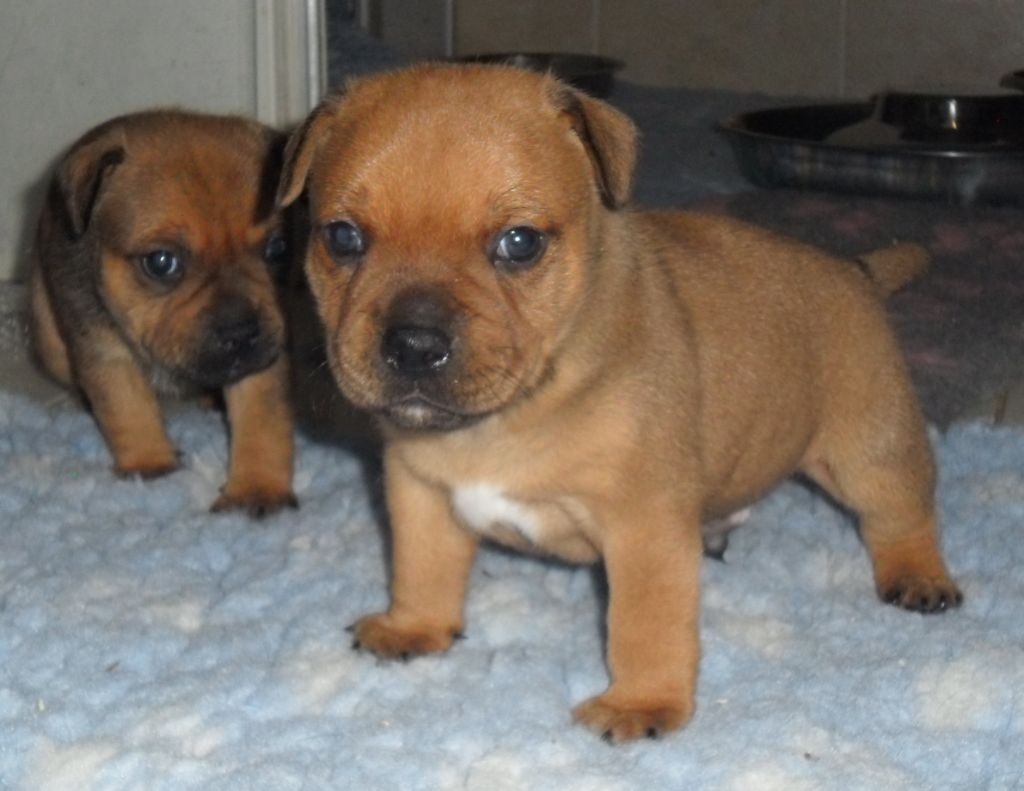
point(154, 273)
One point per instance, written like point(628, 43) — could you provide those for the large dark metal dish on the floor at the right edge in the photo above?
point(962, 150)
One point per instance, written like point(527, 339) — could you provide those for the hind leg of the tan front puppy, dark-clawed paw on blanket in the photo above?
point(885, 473)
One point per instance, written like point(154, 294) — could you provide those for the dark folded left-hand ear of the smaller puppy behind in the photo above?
point(82, 173)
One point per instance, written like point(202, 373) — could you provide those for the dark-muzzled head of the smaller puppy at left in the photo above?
point(178, 211)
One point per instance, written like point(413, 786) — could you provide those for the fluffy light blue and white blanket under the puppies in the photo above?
point(146, 644)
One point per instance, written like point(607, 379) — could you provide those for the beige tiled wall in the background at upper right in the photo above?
point(812, 48)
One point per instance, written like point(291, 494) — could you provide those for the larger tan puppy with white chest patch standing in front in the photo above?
point(559, 372)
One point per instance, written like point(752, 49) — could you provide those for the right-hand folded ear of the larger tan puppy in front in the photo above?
point(609, 137)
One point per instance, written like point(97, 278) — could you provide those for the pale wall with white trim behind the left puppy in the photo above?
point(68, 65)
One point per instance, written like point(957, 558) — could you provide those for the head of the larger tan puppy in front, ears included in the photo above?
point(456, 219)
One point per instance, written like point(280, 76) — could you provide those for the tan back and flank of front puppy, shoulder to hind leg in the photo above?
point(789, 340)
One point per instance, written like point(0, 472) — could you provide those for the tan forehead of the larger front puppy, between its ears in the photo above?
point(492, 141)
